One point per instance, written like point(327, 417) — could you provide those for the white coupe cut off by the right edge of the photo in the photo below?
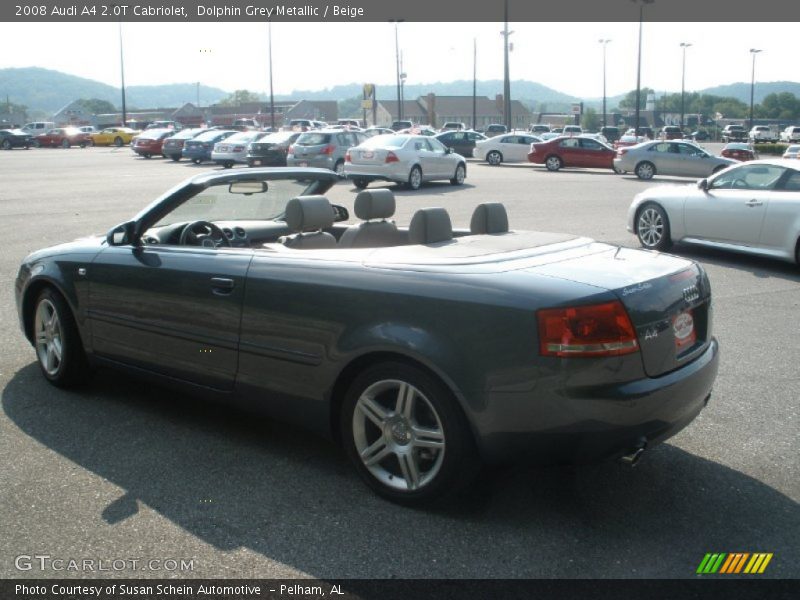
point(753, 207)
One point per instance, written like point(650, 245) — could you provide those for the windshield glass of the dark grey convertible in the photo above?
point(217, 203)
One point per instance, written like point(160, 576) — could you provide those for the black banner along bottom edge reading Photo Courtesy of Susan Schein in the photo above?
point(733, 588)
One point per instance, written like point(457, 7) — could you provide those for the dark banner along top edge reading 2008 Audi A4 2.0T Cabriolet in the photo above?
point(443, 11)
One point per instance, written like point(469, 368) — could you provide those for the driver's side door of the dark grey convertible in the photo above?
point(173, 310)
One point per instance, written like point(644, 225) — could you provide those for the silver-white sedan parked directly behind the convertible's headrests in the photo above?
point(409, 159)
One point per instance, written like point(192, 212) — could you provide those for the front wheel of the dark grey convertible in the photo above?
point(58, 346)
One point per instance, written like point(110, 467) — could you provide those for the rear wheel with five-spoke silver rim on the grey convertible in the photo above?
point(424, 452)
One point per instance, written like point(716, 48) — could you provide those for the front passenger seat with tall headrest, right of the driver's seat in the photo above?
point(371, 205)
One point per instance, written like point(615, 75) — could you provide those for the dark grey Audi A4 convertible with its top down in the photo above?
point(424, 351)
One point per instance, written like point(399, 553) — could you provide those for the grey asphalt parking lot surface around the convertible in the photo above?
point(122, 470)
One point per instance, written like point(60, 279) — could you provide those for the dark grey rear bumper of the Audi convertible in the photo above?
point(582, 425)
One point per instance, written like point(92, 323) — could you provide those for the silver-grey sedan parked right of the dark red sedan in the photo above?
point(680, 158)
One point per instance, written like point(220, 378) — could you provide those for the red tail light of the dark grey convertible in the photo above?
point(586, 331)
